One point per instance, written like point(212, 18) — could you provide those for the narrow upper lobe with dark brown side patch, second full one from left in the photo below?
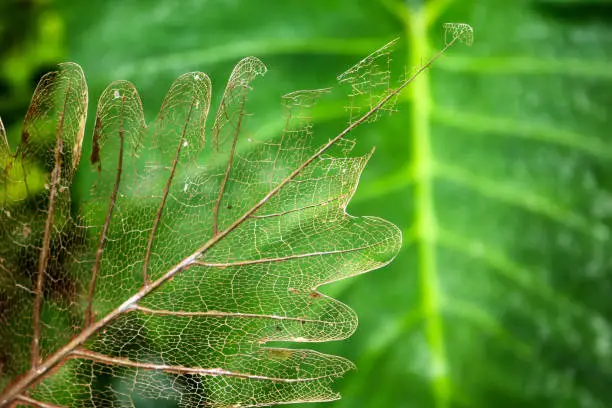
point(117, 141)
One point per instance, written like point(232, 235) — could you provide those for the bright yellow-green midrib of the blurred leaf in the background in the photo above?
point(425, 224)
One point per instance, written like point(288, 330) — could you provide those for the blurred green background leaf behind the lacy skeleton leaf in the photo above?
point(497, 167)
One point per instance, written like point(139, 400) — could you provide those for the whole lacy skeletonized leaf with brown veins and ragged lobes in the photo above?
point(179, 271)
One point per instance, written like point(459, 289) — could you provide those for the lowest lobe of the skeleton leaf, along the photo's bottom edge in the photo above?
point(313, 372)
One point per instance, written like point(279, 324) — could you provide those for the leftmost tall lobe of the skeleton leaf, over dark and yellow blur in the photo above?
point(37, 292)
